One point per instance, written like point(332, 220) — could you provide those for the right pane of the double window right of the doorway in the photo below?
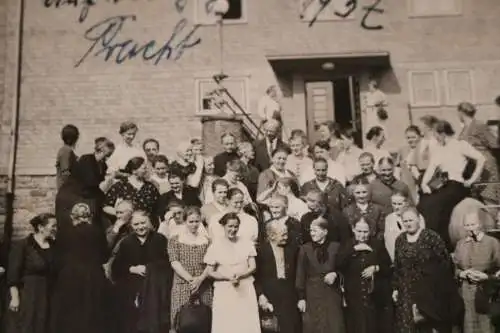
point(459, 86)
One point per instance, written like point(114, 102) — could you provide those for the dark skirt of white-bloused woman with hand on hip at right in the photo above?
point(437, 207)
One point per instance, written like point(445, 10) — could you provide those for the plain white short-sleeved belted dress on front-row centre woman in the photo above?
point(234, 308)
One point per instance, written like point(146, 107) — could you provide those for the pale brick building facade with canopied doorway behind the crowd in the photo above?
point(152, 62)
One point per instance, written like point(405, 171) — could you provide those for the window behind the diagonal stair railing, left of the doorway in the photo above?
point(211, 99)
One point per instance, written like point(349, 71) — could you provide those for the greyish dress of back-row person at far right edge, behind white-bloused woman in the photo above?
point(478, 135)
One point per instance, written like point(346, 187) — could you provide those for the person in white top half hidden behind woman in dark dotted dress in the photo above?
point(394, 223)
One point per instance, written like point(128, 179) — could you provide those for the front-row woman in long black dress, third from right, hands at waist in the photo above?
point(365, 266)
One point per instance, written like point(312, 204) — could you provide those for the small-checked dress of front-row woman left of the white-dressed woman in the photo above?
point(190, 256)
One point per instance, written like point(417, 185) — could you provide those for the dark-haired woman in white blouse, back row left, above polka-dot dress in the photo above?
point(126, 149)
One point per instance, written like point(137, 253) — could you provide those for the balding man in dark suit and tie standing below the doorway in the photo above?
point(265, 147)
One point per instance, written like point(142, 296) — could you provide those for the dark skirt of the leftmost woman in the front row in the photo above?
point(33, 314)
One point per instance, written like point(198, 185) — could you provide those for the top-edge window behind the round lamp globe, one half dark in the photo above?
point(204, 13)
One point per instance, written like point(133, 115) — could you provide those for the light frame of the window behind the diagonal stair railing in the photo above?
point(199, 81)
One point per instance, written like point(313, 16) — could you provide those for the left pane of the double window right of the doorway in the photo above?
point(424, 89)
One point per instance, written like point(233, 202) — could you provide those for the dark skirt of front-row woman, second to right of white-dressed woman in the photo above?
point(324, 312)
